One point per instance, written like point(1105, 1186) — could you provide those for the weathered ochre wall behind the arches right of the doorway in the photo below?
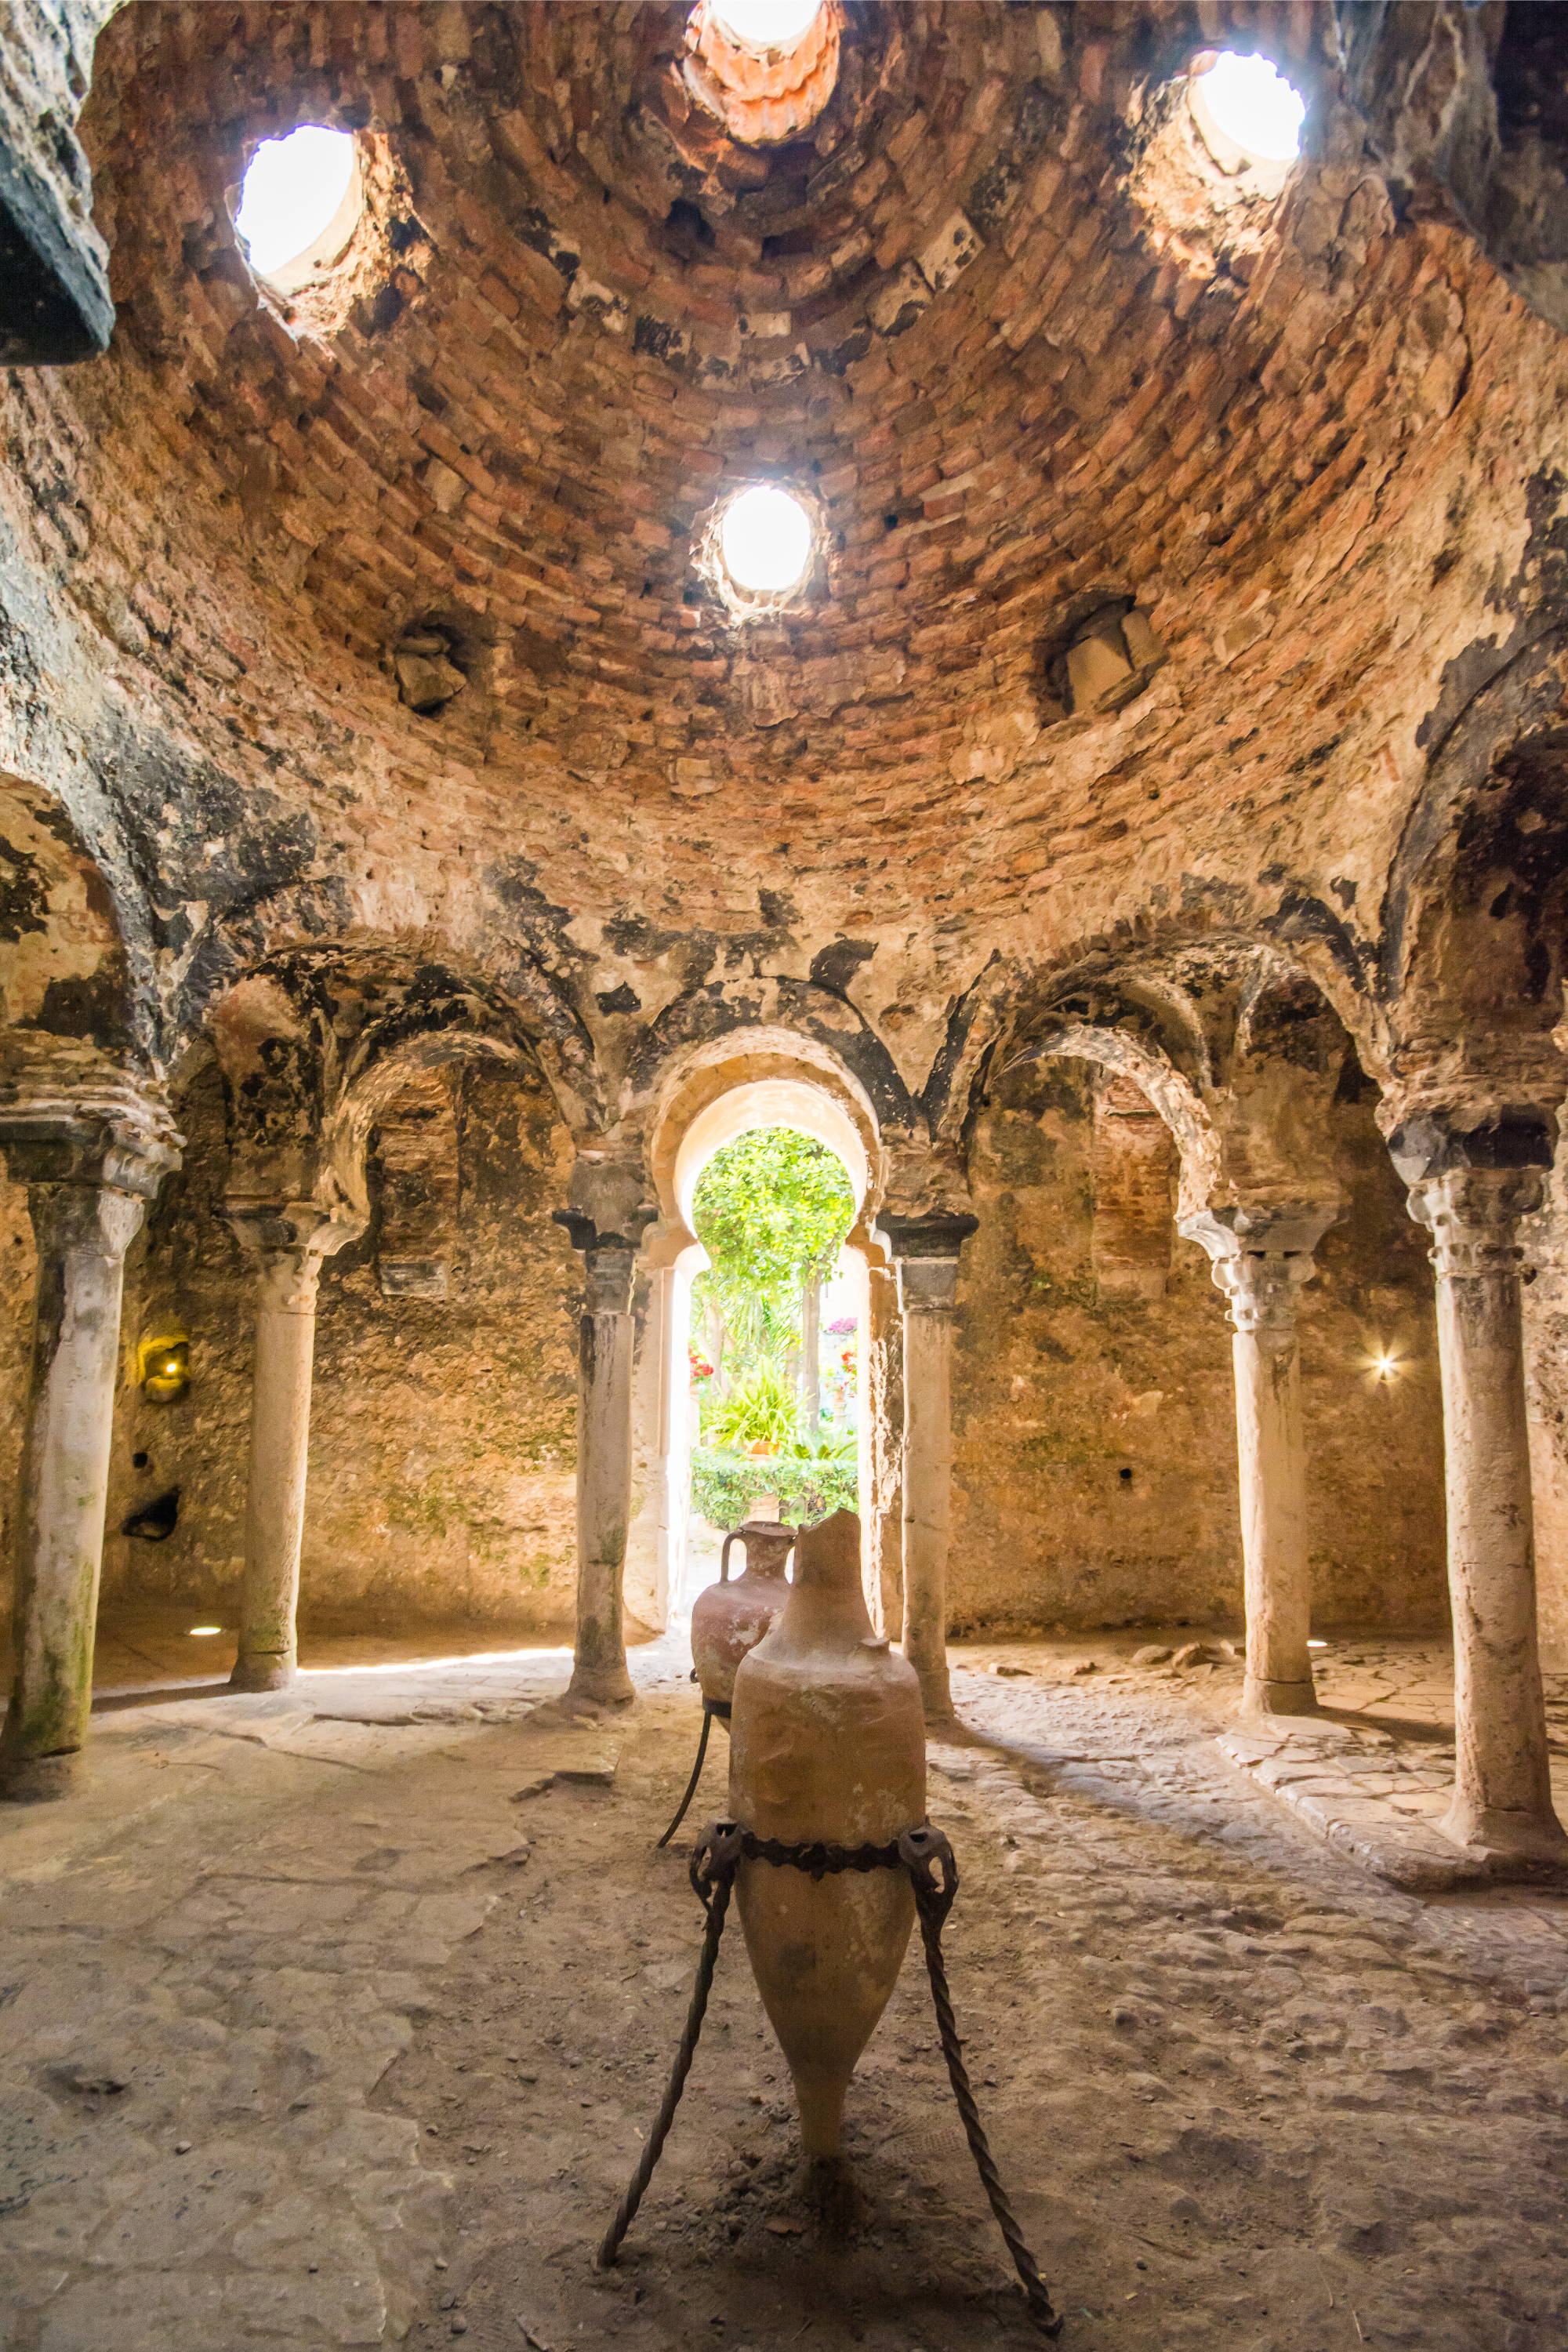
point(1094, 1436)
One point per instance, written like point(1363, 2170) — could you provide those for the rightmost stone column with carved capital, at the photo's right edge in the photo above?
point(1503, 1784)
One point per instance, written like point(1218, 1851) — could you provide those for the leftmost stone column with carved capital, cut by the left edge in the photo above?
point(88, 1187)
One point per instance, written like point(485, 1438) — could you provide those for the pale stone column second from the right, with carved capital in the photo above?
point(1261, 1262)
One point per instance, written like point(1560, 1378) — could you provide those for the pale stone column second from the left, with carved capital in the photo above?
point(288, 1241)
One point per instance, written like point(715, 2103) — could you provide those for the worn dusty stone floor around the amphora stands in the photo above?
point(335, 2019)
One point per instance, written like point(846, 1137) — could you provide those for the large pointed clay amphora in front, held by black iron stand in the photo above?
point(829, 1744)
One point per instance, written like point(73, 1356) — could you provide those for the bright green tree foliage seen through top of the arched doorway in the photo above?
point(772, 1212)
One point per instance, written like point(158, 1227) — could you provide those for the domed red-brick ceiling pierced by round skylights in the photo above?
point(993, 314)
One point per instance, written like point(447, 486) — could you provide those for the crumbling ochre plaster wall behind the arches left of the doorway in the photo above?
point(443, 1434)
